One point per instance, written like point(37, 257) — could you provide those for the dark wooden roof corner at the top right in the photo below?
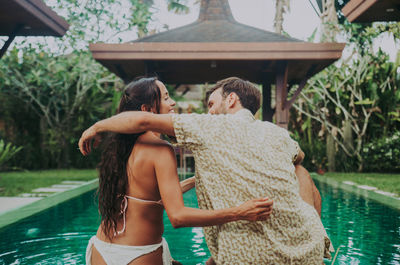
point(372, 10)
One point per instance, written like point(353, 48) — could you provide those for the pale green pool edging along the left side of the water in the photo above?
point(14, 215)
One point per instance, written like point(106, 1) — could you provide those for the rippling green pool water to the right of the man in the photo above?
point(363, 227)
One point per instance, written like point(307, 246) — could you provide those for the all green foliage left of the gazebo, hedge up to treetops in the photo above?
point(50, 89)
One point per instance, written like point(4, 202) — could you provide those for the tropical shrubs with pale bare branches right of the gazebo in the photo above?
point(355, 101)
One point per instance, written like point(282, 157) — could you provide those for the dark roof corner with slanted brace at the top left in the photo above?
point(28, 18)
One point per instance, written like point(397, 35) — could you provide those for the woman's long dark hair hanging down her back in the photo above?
point(113, 177)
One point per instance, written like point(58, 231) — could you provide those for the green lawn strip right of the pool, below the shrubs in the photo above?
point(385, 182)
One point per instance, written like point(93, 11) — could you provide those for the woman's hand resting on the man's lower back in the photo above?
point(255, 210)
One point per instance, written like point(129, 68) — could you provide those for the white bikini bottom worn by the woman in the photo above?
point(114, 254)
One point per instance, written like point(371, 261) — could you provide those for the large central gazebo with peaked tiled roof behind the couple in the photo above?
point(215, 47)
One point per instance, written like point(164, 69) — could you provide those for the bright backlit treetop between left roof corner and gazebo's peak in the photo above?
point(110, 20)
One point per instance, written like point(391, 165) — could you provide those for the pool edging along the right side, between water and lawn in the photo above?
point(393, 202)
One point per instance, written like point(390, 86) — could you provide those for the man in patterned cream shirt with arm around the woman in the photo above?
point(237, 158)
